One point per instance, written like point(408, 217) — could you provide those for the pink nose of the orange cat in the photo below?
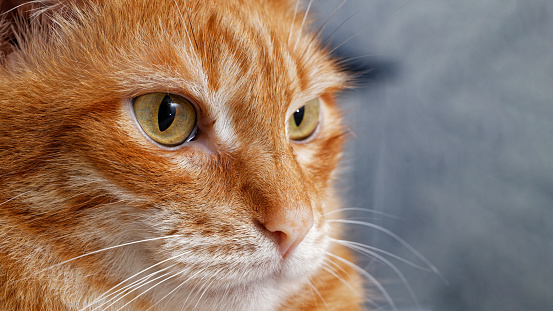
point(289, 228)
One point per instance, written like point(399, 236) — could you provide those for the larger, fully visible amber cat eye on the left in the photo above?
point(168, 119)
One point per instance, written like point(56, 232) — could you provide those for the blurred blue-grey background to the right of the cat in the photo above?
point(452, 138)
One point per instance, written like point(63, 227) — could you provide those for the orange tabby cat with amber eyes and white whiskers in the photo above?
point(170, 155)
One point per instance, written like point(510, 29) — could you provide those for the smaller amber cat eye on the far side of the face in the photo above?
point(303, 123)
